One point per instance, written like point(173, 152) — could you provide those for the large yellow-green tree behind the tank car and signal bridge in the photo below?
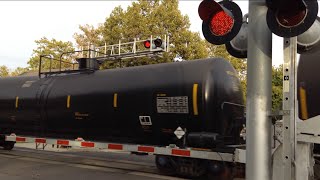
point(145, 18)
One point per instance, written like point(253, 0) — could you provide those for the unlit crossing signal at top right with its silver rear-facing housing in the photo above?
point(290, 18)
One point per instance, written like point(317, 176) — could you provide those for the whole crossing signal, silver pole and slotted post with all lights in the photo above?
point(297, 22)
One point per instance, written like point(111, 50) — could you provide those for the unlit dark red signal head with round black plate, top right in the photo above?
point(289, 18)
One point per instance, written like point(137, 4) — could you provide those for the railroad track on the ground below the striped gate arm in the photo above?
point(85, 160)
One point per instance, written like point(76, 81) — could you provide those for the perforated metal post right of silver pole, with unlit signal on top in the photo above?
point(297, 22)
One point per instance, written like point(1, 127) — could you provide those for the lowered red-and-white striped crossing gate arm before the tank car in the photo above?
point(237, 156)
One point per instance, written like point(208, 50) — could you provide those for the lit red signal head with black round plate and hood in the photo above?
point(221, 21)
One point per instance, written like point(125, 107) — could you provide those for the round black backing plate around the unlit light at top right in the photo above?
point(282, 31)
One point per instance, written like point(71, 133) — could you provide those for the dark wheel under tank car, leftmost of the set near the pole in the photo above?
point(165, 165)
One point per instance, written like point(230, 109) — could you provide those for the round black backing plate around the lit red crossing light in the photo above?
point(237, 17)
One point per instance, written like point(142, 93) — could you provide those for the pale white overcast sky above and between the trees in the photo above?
point(23, 22)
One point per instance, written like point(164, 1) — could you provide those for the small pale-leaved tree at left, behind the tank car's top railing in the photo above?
point(51, 47)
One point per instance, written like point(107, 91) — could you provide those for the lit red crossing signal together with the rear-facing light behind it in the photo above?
point(221, 24)
